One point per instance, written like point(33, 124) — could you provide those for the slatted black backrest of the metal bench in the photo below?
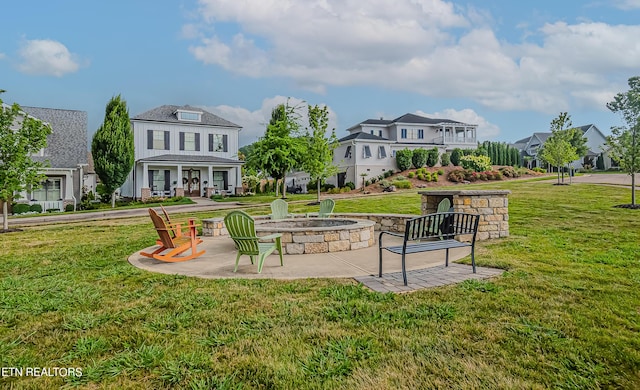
point(445, 225)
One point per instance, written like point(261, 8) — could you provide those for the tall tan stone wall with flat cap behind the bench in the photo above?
point(491, 205)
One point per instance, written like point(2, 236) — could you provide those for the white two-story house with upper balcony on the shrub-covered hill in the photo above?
point(369, 150)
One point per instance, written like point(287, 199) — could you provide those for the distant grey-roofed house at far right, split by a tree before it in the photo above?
point(596, 143)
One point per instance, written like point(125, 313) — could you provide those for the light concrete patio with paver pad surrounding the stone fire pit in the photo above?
point(425, 270)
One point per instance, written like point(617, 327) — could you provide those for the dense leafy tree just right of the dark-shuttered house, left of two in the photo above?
point(279, 151)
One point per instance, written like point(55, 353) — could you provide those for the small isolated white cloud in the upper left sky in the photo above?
point(47, 57)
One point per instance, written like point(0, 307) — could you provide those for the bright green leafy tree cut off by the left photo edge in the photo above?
point(21, 136)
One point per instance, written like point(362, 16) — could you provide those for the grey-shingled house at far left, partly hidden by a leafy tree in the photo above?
point(70, 168)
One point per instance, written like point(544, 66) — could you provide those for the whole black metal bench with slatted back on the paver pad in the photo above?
point(433, 232)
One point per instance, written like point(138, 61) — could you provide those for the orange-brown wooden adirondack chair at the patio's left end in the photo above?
point(170, 248)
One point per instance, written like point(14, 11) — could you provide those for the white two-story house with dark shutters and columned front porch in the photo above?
point(183, 151)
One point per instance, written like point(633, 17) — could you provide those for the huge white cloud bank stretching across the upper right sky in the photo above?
point(426, 46)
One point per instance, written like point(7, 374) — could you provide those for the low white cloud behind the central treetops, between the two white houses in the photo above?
point(254, 123)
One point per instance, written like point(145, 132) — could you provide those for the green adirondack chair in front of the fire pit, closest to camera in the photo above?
point(242, 230)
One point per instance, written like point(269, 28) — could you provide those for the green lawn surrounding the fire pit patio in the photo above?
point(566, 314)
